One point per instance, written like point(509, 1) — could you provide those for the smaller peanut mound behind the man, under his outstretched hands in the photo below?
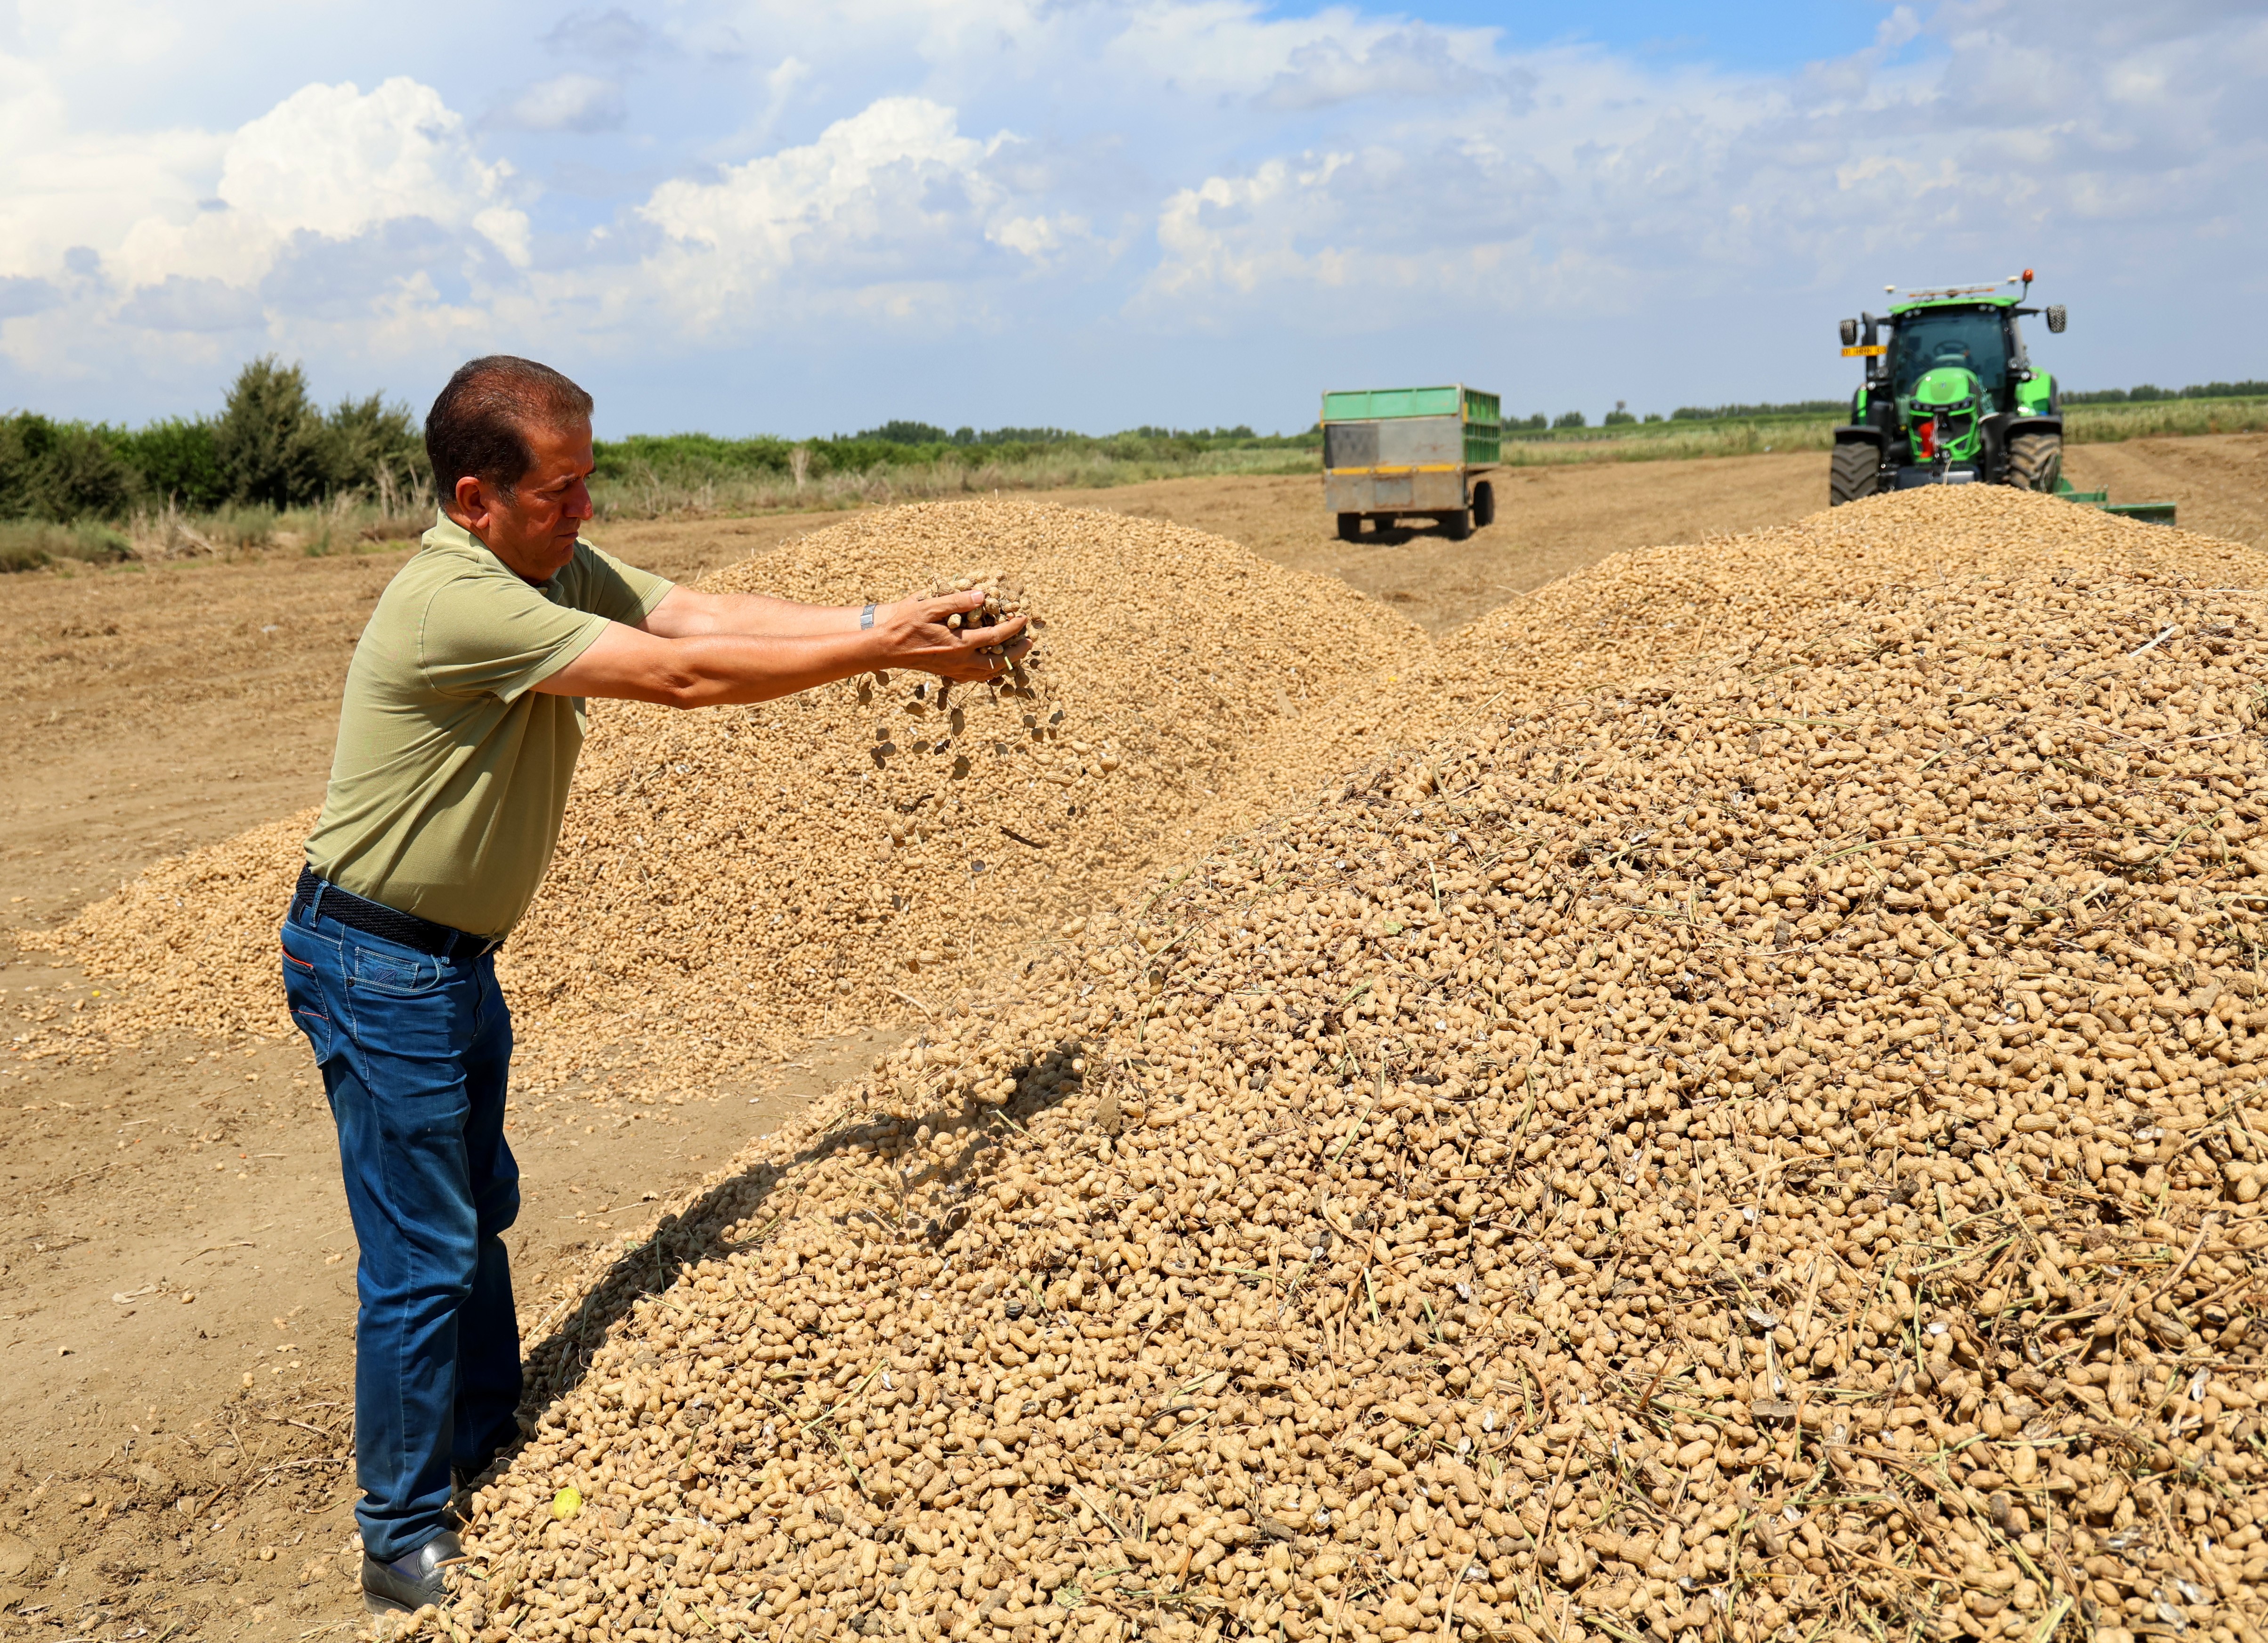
point(734, 882)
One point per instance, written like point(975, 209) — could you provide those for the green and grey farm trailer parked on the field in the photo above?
point(1412, 453)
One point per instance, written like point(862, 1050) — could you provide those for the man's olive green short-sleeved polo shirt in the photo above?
point(452, 770)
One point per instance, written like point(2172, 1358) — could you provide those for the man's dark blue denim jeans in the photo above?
point(414, 1056)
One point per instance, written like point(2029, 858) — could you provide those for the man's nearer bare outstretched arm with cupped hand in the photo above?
point(718, 668)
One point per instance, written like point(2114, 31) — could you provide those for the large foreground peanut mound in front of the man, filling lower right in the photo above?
point(1770, 1152)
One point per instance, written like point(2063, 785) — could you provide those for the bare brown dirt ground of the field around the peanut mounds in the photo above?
point(176, 1261)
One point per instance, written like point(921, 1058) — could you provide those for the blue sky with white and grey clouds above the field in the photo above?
point(806, 219)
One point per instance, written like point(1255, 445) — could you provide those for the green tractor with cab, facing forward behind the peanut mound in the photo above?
point(1949, 396)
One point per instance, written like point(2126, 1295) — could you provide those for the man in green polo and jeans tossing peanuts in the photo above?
point(457, 741)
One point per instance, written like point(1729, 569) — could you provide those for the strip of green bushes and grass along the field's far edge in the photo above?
point(278, 473)
